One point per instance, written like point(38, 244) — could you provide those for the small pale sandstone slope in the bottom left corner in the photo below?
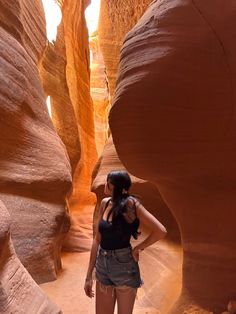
point(19, 293)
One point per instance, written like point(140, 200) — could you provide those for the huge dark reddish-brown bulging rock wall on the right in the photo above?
point(173, 122)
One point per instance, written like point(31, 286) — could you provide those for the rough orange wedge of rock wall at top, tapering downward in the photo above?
point(117, 17)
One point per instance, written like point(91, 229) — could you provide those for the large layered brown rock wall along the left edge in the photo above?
point(34, 167)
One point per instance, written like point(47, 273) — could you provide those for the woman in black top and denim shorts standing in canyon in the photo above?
point(117, 270)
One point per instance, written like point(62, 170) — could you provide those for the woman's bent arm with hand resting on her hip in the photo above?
point(148, 222)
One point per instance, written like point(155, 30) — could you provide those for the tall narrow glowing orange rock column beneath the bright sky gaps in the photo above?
point(65, 74)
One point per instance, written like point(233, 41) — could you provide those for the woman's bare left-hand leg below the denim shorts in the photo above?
point(105, 299)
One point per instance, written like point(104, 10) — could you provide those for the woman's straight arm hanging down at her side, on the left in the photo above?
point(93, 254)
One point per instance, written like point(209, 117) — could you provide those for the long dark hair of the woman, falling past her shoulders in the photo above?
point(122, 182)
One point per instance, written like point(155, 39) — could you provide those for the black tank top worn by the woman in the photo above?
point(118, 236)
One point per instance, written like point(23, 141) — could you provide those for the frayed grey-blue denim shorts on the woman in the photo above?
point(117, 268)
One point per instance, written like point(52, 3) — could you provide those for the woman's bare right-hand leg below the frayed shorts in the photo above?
point(125, 299)
